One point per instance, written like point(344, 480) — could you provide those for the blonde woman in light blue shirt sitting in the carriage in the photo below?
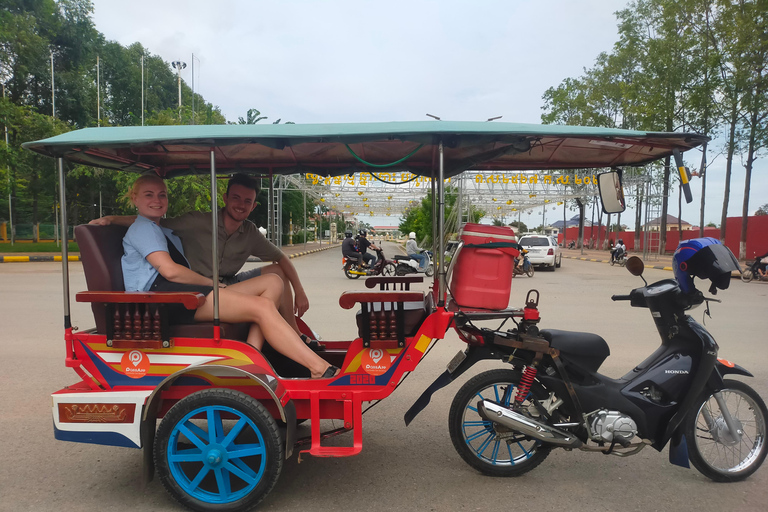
point(153, 260)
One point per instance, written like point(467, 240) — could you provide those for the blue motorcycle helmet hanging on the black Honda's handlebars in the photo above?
point(705, 258)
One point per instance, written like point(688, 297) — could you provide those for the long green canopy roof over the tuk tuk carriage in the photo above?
point(344, 148)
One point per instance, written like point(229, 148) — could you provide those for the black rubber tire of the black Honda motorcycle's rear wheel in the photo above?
point(464, 404)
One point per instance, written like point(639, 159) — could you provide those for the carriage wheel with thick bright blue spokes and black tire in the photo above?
point(218, 449)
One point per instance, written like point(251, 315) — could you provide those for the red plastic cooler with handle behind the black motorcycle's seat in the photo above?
point(482, 277)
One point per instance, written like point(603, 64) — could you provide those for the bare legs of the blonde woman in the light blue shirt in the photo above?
point(237, 307)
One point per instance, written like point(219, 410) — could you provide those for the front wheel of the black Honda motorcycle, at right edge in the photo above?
point(712, 448)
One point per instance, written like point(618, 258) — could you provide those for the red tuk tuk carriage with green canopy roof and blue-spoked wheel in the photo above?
point(218, 446)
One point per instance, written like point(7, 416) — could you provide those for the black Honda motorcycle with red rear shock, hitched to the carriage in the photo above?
point(504, 422)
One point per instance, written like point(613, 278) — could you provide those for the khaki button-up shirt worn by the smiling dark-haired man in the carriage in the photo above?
point(195, 231)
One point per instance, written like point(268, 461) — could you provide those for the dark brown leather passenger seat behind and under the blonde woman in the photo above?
point(101, 248)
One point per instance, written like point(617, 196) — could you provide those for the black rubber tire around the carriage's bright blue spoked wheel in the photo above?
point(270, 462)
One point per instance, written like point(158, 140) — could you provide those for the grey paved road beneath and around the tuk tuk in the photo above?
point(400, 468)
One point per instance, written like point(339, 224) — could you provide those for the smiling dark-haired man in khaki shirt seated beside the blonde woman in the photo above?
point(239, 238)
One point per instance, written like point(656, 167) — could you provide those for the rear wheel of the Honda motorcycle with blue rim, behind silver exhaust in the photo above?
point(490, 447)
